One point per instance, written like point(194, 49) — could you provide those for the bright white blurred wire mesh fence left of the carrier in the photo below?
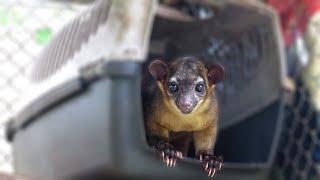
point(25, 27)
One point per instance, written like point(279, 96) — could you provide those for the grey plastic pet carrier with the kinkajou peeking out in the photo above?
point(82, 117)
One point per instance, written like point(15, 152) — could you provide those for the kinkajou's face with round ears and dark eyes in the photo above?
point(186, 81)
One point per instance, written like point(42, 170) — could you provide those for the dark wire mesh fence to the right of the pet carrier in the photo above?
point(299, 150)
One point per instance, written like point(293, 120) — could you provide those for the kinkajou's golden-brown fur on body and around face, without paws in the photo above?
point(164, 122)
